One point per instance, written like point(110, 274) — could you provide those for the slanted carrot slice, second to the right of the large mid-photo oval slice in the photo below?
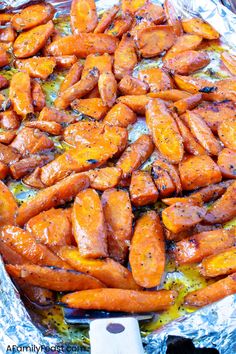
point(202, 132)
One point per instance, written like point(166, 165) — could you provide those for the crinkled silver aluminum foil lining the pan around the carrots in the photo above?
point(213, 326)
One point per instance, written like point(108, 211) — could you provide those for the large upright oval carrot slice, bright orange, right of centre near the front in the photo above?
point(147, 252)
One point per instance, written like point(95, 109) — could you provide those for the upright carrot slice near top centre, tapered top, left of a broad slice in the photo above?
point(125, 57)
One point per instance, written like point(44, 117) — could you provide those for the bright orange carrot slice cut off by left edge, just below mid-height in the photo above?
point(8, 206)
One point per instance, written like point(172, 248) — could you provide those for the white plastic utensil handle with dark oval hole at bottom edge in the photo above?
point(115, 336)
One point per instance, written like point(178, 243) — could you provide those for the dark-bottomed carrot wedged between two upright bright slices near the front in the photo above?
point(118, 237)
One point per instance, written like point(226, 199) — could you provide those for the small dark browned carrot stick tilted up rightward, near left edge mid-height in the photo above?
point(21, 168)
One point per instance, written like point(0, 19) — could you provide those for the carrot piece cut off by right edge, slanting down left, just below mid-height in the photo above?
point(224, 208)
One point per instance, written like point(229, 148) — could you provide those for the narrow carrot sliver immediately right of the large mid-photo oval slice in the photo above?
point(190, 143)
